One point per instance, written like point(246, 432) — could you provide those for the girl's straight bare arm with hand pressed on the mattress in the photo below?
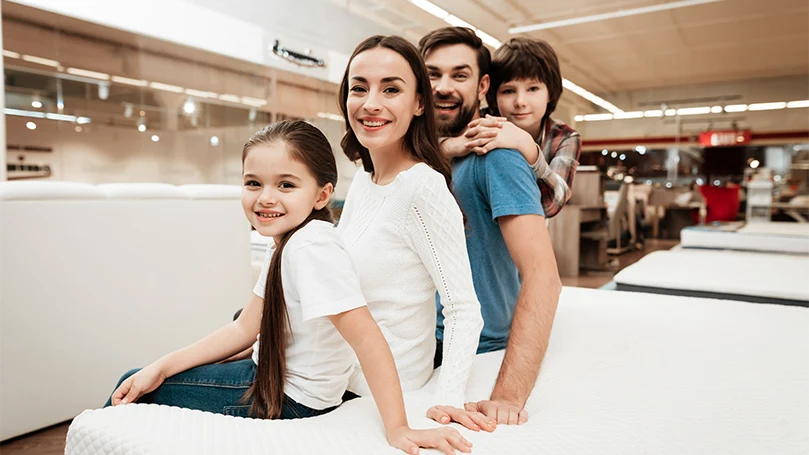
point(360, 330)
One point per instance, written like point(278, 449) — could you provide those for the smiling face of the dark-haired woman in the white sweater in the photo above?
point(382, 98)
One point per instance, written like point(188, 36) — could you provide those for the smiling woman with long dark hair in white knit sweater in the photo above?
point(402, 227)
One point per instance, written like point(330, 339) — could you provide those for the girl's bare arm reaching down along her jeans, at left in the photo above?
point(226, 341)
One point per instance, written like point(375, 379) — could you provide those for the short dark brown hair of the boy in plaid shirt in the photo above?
point(525, 58)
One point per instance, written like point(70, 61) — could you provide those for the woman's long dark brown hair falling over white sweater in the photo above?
point(421, 139)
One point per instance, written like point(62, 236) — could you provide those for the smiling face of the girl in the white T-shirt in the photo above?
point(279, 193)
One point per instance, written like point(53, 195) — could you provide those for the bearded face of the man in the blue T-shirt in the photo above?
point(457, 86)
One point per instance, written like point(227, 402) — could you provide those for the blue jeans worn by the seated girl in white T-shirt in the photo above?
point(216, 388)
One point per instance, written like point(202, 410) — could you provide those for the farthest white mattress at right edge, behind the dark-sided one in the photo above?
point(766, 237)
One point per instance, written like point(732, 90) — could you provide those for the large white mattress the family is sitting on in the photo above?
point(626, 373)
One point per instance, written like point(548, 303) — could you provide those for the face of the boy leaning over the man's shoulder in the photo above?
point(523, 102)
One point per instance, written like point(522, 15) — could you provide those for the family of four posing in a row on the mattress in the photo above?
point(442, 250)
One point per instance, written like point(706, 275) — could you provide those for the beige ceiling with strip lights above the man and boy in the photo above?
point(729, 40)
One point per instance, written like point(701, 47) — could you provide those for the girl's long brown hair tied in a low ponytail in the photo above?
point(307, 145)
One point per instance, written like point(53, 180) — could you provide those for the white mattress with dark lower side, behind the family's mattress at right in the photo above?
point(779, 276)
